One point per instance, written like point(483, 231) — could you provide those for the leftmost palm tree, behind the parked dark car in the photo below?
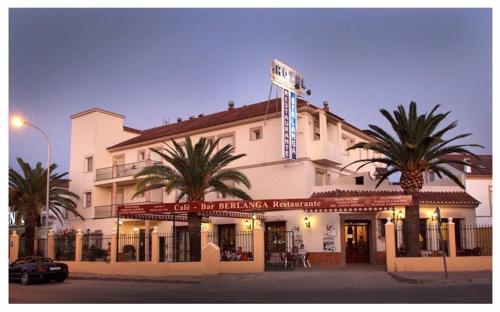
point(27, 194)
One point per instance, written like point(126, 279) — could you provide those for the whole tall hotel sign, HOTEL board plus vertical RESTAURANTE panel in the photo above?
point(292, 83)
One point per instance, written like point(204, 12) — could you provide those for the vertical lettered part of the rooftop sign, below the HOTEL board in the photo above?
point(289, 124)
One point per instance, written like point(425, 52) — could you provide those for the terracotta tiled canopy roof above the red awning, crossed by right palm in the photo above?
point(427, 197)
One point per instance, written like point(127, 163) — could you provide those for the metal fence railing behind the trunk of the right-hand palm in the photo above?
point(430, 239)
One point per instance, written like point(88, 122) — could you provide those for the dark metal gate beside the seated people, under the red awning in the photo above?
point(279, 249)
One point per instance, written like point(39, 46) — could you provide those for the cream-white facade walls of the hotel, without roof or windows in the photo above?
point(270, 175)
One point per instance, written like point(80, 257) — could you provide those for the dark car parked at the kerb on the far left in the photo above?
point(29, 269)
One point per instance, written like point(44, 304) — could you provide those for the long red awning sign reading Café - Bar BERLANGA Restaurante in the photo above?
point(329, 203)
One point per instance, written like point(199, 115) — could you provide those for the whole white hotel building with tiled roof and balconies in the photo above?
point(105, 155)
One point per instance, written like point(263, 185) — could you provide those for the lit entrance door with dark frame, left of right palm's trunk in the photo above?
point(357, 241)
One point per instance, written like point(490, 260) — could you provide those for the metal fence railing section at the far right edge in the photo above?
point(474, 240)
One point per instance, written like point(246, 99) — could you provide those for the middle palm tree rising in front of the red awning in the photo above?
point(194, 172)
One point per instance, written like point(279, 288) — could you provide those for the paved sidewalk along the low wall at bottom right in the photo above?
point(439, 277)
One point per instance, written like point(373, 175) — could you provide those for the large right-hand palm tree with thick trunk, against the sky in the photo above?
point(418, 147)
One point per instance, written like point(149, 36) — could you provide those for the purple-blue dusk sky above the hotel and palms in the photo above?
point(155, 64)
